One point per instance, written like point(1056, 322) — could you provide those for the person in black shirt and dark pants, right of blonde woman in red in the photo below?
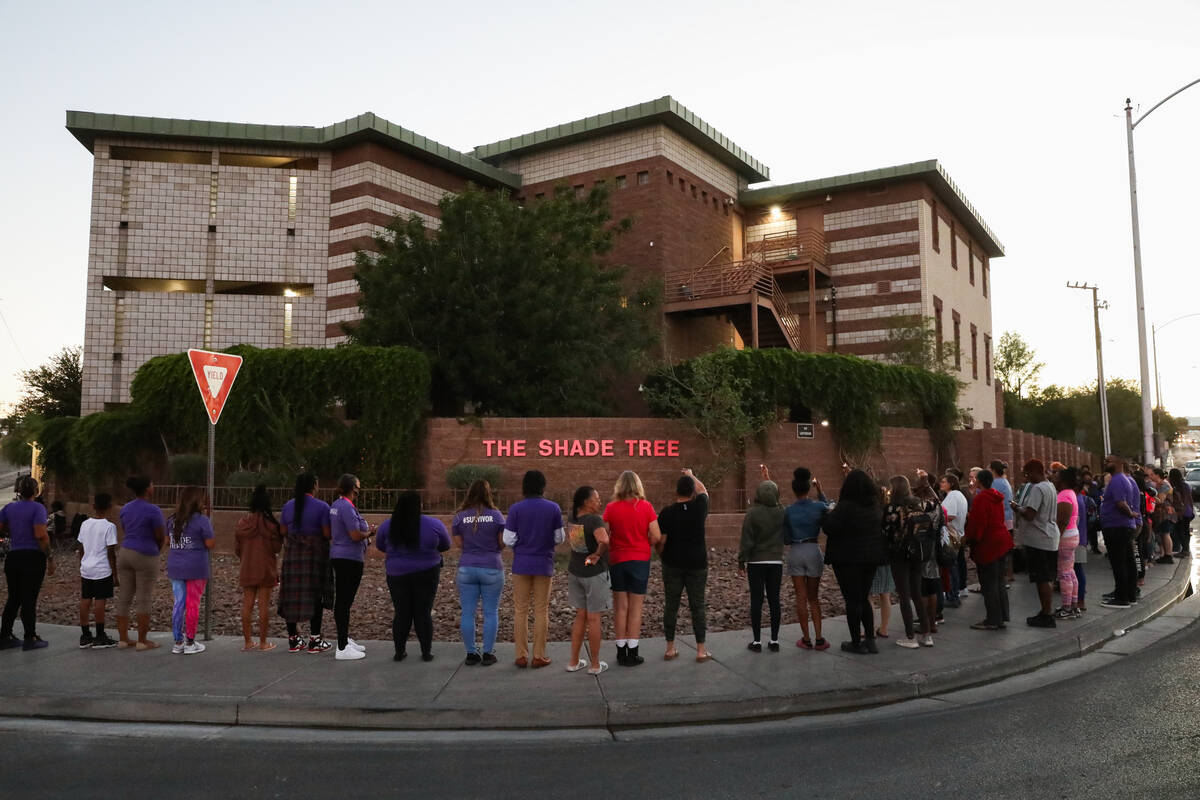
point(685, 557)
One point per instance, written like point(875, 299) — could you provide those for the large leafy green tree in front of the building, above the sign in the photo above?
point(517, 308)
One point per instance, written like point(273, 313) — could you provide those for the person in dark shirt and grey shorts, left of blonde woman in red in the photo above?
point(589, 586)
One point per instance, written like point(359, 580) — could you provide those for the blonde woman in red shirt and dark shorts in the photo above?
point(634, 530)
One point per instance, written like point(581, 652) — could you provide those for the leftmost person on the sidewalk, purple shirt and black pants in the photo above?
point(27, 564)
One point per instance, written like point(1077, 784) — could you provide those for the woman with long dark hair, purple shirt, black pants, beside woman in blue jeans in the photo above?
point(415, 545)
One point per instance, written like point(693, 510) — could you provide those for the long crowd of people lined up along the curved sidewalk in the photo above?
point(910, 538)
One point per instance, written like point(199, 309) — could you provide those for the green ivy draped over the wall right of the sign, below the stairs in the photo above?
point(857, 396)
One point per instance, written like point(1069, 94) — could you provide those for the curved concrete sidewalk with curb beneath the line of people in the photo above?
point(227, 687)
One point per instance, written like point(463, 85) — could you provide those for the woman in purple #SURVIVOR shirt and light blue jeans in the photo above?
point(479, 533)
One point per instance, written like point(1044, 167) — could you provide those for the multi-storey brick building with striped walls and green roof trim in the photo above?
point(212, 234)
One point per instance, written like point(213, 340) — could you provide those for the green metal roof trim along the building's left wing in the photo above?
point(86, 127)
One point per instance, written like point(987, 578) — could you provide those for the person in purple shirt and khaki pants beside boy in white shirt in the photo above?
point(137, 563)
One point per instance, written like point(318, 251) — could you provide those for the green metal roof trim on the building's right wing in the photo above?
point(929, 171)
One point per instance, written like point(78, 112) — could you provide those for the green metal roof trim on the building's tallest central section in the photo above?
point(664, 110)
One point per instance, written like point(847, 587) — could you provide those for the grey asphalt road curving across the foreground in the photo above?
point(1129, 730)
